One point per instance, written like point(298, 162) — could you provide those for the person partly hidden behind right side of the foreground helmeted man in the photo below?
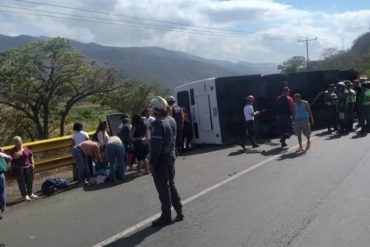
point(177, 113)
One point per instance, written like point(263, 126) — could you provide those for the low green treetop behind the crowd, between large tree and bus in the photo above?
point(132, 98)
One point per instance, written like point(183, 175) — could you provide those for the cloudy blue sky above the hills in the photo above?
point(233, 30)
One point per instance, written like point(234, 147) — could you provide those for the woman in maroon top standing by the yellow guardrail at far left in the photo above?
point(23, 163)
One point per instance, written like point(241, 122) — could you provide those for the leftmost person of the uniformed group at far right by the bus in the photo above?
point(331, 102)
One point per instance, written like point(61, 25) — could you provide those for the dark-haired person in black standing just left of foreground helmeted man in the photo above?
point(139, 135)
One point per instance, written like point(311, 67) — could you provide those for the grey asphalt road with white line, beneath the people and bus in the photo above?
point(270, 198)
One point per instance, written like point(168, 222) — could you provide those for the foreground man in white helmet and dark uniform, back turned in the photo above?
point(162, 162)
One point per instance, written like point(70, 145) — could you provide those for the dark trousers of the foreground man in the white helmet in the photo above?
point(164, 182)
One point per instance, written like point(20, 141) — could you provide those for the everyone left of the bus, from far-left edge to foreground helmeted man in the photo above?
point(152, 139)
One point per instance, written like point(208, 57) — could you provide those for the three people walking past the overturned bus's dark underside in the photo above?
point(293, 115)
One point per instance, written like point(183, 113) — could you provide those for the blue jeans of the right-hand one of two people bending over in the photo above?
point(115, 153)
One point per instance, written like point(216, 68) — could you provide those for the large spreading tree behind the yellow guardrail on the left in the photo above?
point(42, 81)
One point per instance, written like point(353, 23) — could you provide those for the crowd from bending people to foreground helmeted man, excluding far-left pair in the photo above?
point(152, 140)
